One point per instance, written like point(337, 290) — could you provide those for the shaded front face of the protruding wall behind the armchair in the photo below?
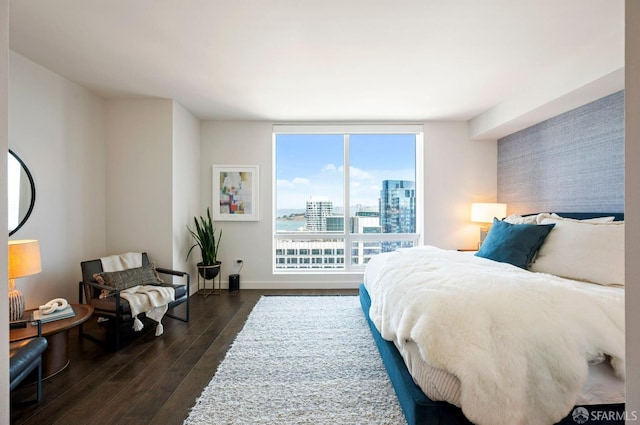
point(139, 178)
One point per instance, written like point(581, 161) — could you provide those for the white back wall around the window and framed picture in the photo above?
point(458, 171)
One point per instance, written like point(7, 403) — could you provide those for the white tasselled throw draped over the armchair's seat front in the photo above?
point(149, 299)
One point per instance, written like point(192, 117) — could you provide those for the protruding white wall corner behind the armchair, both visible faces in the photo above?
point(152, 161)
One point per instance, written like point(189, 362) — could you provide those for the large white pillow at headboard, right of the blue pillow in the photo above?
point(582, 250)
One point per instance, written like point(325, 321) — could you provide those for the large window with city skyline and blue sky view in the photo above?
point(345, 194)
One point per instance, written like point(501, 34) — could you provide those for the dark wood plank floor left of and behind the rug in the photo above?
point(151, 380)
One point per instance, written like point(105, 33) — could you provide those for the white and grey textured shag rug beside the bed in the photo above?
point(301, 360)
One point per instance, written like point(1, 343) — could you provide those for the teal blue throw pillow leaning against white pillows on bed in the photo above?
point(513, 243)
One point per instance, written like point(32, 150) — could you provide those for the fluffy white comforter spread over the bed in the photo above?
point(519, 342)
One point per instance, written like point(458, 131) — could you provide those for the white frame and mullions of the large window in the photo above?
point(349, 238)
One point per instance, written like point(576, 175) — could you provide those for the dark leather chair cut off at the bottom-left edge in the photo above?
point(25, 356)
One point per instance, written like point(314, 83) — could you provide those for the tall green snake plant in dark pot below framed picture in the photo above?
point(206, 238)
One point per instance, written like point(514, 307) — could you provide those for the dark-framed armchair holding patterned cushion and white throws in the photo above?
point(117, 309)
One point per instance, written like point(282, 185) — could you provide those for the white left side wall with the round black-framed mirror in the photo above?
point(57, 128)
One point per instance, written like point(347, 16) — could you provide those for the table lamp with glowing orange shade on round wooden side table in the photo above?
point(24, 260)
